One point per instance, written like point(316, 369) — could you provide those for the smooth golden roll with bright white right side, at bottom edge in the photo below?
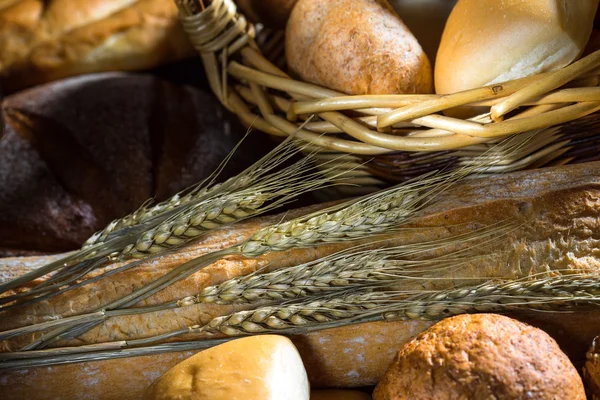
point(266, 367)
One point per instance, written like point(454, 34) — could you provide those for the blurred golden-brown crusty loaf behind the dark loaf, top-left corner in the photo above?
point(48, 40)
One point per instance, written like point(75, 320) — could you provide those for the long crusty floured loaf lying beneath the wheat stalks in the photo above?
point(559, 214)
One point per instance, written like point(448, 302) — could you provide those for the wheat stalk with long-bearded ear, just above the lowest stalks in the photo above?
point(353, 268)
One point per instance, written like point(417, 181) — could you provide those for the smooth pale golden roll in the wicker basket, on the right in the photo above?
point(487, 42)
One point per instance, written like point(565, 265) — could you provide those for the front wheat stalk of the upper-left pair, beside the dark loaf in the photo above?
point(264, 189)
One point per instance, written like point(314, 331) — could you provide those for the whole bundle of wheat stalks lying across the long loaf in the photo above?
point(372, 280)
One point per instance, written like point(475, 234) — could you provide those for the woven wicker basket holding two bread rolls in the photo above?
point(388, 138)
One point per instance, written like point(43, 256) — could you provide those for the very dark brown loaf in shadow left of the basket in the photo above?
point(78, 153)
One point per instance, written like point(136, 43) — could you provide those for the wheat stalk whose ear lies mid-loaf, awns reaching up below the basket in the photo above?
point(356, 219)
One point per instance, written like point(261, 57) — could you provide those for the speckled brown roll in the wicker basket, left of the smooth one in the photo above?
point(356, 47)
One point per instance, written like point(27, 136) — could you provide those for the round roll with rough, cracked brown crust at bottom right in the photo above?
point(483, 356)
